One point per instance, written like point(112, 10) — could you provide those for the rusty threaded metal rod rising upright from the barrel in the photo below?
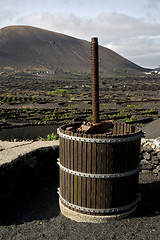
point(95, 80)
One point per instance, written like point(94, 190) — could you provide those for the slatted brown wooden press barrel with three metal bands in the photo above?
point(99, 173)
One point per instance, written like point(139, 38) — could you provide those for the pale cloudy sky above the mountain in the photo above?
point(129, 27)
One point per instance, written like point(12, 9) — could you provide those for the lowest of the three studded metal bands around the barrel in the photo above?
point(103, 211)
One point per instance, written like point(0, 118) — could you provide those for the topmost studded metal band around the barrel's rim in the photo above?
point(97, 140)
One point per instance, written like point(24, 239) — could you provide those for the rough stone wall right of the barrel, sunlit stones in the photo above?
point(150, 155)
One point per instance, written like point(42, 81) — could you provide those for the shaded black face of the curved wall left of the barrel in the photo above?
point(27, 171)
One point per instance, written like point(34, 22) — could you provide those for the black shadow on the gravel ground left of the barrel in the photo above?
point(39, 204)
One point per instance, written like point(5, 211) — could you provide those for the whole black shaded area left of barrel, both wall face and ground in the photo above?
point(30, 184)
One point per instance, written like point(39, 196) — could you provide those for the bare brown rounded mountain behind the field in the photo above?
point(24, 45)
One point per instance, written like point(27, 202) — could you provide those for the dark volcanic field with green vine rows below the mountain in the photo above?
point(45, 100)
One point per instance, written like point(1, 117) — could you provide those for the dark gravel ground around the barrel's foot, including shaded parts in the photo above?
point(37, 216)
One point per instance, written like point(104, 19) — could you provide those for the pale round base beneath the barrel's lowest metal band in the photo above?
point(81, 217)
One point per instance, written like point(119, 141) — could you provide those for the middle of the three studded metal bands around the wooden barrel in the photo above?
point(100, 176)
